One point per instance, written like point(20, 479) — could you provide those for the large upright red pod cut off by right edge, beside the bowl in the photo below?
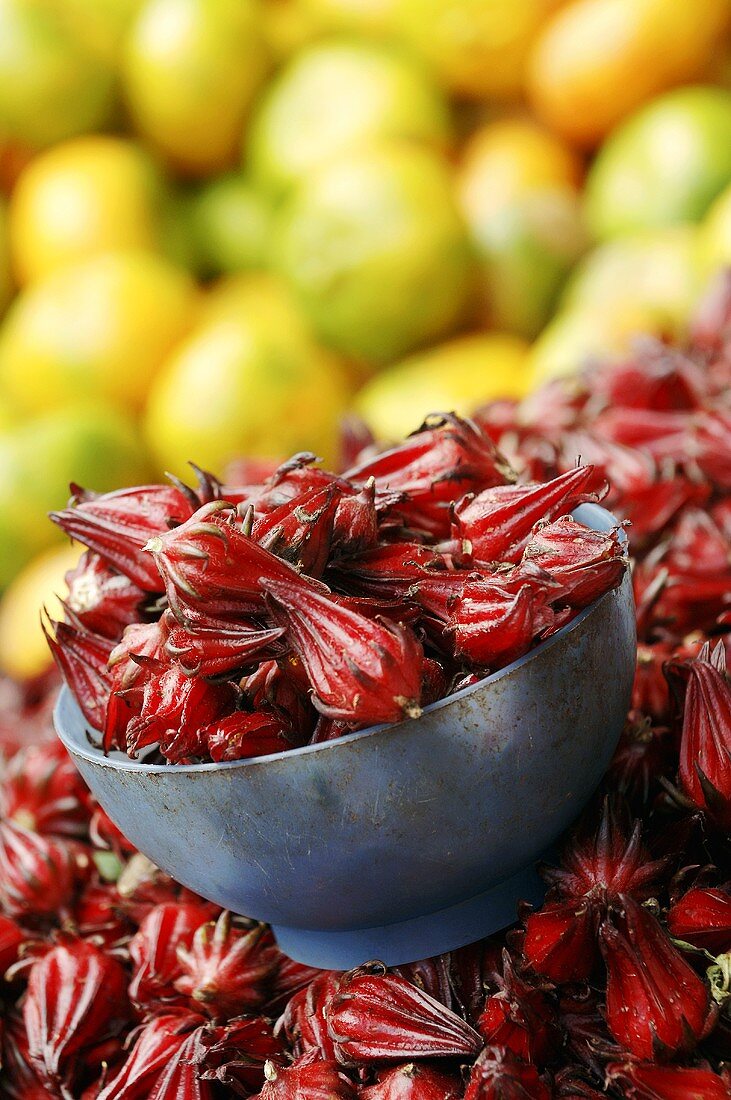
point(705, 768)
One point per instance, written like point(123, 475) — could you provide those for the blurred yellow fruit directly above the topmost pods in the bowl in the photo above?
point(456, 377)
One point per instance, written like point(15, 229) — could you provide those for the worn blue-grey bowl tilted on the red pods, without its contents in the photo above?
point(398, 842)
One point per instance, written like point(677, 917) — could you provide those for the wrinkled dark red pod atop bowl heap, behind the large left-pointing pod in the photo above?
point(302, 533)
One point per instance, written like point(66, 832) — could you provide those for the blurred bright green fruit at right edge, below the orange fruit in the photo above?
point(664, 166)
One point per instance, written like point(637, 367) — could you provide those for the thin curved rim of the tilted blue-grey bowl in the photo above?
point(121, 763)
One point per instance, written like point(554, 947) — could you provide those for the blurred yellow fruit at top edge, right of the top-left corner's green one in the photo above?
point(191, 70)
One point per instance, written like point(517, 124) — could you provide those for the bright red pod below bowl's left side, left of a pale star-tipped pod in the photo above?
point(154, 952)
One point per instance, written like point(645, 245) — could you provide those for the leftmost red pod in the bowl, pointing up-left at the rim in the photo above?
point(82, 658)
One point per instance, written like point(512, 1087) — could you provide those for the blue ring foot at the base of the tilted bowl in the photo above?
point(420, 938)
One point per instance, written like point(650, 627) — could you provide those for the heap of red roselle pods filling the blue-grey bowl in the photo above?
point(231, 622)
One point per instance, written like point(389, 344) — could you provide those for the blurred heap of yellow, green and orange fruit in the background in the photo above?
point(225, 225)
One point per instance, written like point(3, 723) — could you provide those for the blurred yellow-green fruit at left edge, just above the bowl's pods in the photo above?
point(92, 444)
